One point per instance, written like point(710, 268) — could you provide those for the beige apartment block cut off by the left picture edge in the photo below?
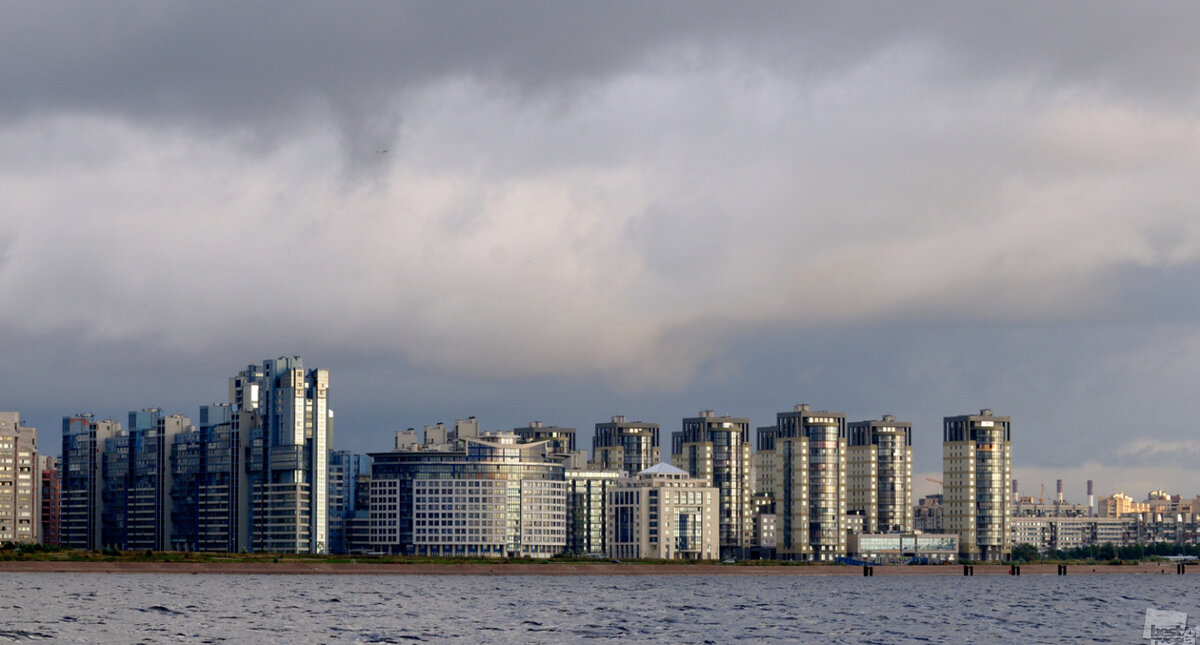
point(20, 483)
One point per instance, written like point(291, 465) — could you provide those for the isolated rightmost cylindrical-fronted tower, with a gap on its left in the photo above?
point(977, 474)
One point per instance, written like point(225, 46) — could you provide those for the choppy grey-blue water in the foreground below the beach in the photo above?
point(165, 608)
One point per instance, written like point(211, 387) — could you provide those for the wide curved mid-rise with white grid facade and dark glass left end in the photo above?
point(499, 498)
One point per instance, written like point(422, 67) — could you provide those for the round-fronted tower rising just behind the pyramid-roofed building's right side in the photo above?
point(717, 450)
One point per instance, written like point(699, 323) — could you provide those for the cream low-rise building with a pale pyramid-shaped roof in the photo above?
point(663, 514)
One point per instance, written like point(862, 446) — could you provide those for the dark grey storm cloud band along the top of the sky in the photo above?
point(261, 62)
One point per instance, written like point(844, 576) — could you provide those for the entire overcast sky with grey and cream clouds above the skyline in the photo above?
point(568, 212)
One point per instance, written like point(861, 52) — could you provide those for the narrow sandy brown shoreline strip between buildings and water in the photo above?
point(555, 569)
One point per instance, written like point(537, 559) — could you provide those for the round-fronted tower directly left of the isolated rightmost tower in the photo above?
point(879, 483)
